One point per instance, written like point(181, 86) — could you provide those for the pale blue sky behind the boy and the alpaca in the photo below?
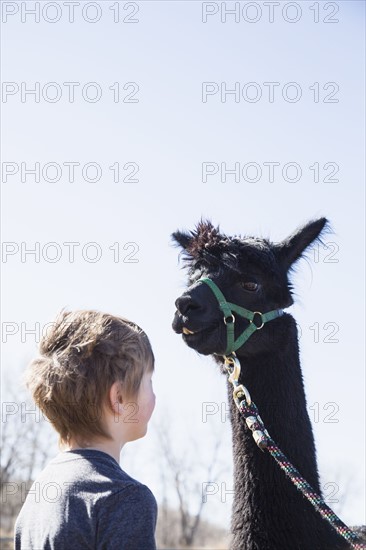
point(169, 133)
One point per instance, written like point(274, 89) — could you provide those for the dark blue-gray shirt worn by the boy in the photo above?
point(84, 500)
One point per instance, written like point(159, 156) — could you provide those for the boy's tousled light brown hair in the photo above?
point(82, 355)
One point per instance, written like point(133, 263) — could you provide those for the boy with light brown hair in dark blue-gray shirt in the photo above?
point(93, 382)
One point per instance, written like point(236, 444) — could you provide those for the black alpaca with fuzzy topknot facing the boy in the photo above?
point(268, 511)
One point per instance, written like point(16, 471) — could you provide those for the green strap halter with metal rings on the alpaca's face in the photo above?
point(227, 308)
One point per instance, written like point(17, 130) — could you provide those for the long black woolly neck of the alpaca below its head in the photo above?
point(268, 511)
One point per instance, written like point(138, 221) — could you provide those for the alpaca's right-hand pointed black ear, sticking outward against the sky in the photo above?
point(291, 249)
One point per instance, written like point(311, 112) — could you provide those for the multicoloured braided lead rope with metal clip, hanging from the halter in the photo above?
point(264, 441)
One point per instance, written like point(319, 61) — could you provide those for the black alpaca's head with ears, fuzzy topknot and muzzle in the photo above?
point(251, 272)
